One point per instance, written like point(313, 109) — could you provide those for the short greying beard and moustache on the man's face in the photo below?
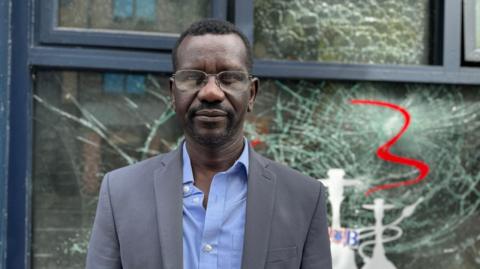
point(219, 135)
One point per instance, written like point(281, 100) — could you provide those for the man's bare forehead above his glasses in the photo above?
point(210, 51)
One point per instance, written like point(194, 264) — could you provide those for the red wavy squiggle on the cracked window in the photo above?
point(383, 152)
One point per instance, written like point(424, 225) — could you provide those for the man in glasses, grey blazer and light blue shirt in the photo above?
point(213, 202)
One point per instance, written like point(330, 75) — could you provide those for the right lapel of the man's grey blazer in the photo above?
point(260, 201)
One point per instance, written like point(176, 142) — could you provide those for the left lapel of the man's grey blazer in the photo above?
point(168, 195)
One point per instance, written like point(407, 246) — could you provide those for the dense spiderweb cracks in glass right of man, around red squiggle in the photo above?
point(314, 128)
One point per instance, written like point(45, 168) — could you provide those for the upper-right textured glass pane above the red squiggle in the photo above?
point(347, 31)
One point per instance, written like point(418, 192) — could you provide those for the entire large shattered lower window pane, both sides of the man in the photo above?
point(88, 123)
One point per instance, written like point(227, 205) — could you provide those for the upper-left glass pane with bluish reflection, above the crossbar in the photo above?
point(164, 16)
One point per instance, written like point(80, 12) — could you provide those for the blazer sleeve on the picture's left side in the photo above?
point(103, 248)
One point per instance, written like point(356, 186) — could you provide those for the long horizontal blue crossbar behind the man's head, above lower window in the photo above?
point(54, 57)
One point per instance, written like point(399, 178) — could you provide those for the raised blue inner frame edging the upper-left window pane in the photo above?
point(49, 33)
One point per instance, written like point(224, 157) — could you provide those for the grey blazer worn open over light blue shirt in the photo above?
point(138, 224)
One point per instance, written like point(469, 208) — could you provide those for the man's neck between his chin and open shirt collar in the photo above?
point(214, 158)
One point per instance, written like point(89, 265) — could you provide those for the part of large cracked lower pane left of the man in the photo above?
point(86, 124)
